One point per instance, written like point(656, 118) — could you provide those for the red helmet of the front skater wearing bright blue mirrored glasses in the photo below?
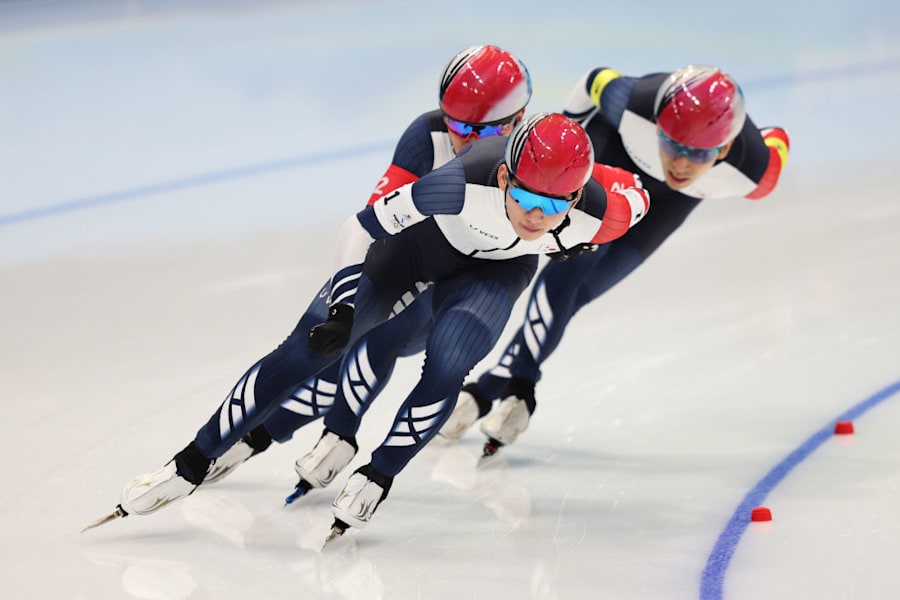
point(550, 153)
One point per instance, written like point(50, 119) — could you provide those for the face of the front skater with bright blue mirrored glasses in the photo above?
point(532, 214)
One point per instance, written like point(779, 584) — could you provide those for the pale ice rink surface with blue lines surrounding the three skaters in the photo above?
point(173, 174)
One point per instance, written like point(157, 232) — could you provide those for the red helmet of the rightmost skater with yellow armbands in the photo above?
point(700, 106)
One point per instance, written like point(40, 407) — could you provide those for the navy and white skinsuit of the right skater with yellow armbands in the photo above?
point(569, 286)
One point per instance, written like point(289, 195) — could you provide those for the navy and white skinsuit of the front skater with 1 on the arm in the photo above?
point(468, 307)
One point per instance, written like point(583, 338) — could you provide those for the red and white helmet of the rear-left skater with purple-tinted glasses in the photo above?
point(484, 84)
